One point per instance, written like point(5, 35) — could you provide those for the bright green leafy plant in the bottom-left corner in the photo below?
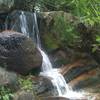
point(5, 93)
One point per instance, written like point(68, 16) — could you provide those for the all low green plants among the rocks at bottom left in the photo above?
point(8, 92)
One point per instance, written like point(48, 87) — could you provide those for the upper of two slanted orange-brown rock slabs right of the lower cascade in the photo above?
point(82, 64)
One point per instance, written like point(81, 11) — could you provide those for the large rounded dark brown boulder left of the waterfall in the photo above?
point(18, 52)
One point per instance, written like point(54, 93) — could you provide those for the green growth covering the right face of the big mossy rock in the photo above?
point(66, 30)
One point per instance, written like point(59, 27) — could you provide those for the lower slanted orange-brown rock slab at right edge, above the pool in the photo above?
point(88, 81)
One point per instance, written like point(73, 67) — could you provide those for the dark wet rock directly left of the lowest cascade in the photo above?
point(43, 87)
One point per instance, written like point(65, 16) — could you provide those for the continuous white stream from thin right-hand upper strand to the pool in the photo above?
point(47, 70)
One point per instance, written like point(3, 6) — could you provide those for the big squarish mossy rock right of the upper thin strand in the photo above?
point(57, 29)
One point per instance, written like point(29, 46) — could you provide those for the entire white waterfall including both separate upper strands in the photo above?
point(47, 70)
